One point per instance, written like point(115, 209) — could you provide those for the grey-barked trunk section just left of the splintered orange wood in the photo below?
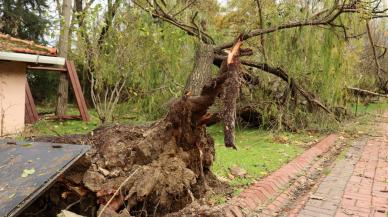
point(202, 71)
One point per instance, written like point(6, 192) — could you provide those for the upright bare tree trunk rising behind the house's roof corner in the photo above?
point(63, 87)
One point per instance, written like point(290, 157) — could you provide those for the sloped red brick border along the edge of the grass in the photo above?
point(268, 191)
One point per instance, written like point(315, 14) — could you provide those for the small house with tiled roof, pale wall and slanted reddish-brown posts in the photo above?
point(16, 102)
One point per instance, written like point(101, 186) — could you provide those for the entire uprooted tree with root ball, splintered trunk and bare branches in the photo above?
point(161, 168)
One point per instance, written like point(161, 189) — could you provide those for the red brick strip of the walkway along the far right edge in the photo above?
point(366, 192)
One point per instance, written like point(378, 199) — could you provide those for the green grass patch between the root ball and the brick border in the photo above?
point(259, 152)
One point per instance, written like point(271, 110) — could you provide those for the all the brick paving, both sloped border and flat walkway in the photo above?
point(357, 186)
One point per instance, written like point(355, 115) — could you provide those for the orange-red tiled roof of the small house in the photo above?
point(8, 43)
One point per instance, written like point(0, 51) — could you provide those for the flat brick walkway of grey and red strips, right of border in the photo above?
point(357, 185)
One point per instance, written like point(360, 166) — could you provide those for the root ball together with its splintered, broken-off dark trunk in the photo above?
point(156, 169)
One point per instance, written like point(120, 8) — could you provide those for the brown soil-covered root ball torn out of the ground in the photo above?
point(169, 175)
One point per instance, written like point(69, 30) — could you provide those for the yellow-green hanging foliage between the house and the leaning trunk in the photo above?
point(140, 54)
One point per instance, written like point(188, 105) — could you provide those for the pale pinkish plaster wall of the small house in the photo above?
point(12, 97)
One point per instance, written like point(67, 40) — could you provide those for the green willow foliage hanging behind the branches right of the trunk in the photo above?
point(323, 60)
